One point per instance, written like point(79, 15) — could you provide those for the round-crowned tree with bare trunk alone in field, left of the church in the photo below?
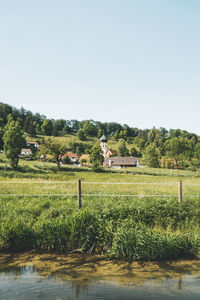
point(53, 148)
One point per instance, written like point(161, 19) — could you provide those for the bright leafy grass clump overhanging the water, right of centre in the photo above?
point(139, 242)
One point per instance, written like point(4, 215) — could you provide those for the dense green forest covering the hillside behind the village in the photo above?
point(174, 148)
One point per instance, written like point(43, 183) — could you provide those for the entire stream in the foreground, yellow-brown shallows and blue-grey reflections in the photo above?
point(30, 276)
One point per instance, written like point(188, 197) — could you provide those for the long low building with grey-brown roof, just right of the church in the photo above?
point(121, 162)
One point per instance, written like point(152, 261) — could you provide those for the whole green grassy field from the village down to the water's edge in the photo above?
point(135, 227)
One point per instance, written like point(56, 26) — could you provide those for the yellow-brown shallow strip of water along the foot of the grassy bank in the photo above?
point(92, 267)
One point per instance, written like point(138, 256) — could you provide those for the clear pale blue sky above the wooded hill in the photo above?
point(129, 61)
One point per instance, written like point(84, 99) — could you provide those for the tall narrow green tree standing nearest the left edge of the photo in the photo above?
point(13, 142)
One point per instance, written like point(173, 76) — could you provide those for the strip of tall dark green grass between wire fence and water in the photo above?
point(147, 229)
